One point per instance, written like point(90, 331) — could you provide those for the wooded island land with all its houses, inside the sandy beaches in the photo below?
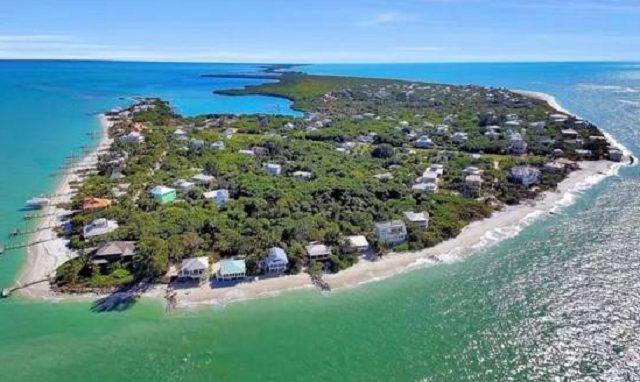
point(375, 168)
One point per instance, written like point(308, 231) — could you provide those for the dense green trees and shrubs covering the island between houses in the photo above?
point(354, 130)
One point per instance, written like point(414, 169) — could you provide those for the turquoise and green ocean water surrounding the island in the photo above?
point(558, 301)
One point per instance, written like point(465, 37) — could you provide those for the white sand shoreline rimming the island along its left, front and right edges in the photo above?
point(43, 259)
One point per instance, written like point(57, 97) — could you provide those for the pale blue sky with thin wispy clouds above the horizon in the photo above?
point(322, 31)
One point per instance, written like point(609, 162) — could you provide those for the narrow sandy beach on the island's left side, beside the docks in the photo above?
point(43, 259)
